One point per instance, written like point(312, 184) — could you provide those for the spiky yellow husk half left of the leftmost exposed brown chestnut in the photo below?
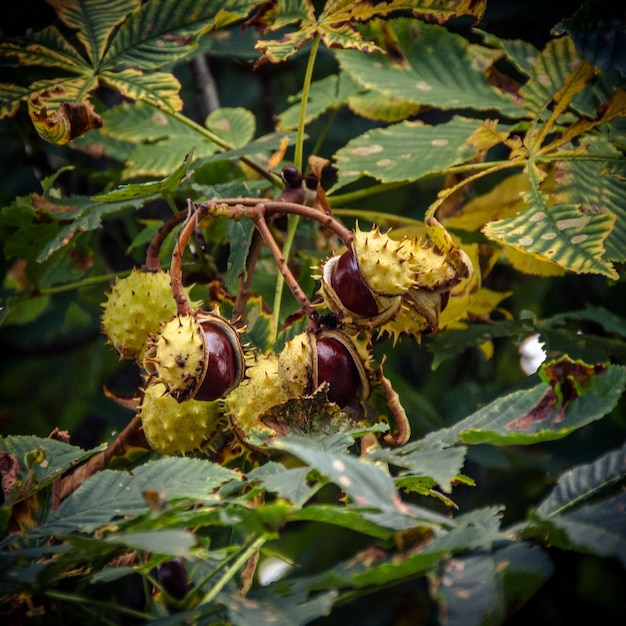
point(176, 356)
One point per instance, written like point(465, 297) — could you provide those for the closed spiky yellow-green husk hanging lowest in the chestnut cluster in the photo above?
point(177, 428)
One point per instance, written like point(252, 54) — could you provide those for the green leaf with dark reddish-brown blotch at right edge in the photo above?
point(575, 395)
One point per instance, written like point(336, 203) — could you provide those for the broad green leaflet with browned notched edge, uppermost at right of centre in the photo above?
point(439, 69)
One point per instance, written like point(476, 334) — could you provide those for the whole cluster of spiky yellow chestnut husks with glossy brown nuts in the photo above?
point(199, 380)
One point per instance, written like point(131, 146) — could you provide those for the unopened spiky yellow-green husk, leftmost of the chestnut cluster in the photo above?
point(135, 308)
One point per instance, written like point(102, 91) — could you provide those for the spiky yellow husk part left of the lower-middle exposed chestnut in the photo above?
point(255, 395)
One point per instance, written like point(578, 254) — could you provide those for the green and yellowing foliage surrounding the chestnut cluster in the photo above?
point(507, 503)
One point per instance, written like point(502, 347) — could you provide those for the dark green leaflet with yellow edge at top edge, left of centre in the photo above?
point(167, 31)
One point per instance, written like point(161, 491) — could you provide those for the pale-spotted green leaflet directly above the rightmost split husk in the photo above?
point(407, 151)
